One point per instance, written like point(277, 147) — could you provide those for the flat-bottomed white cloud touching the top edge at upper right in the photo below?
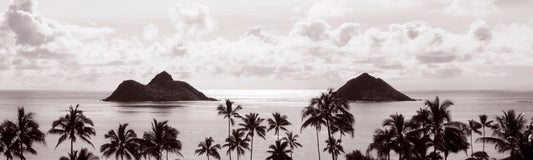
point(472, 8)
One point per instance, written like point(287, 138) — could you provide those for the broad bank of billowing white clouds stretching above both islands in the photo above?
point(39, 52)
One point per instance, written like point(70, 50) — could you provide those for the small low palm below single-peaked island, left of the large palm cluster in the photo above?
point(382, 143)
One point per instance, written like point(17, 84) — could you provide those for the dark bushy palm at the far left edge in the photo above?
point(24, 133)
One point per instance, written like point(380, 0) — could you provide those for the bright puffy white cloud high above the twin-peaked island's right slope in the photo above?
point(191, 20)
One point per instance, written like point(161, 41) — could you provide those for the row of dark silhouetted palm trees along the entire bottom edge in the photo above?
point(431, 130)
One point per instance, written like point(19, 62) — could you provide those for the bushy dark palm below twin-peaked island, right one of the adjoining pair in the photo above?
point(161, 138)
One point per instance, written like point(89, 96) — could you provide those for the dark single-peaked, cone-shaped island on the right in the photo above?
point(368, 88)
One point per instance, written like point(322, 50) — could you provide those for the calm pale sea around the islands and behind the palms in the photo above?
point(197, 120)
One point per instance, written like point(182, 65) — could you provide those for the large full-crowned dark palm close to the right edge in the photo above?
point(507, 134)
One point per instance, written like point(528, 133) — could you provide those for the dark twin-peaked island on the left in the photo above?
point(161, 88)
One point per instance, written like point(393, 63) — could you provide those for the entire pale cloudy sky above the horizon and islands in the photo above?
point(94, 45)
